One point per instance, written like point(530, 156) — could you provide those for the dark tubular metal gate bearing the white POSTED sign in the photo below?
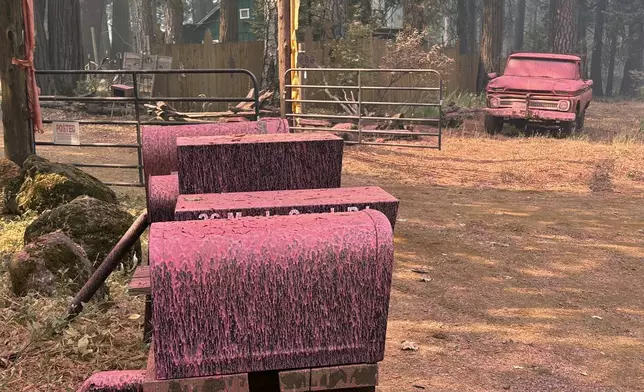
point(136, 99)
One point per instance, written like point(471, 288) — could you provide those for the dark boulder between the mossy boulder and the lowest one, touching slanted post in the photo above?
point(93, 224)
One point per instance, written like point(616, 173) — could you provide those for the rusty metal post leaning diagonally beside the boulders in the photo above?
point(107, 266)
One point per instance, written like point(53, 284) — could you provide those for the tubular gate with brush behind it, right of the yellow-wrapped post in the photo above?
point(426, 123)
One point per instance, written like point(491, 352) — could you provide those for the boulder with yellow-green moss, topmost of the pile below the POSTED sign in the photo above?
point(44, 185)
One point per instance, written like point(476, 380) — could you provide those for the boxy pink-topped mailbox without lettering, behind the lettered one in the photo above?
point(248, 163)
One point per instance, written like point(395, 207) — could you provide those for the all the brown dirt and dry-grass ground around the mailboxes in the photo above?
point(519, 264)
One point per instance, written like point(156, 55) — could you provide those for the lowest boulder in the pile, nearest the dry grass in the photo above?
point(50, 261)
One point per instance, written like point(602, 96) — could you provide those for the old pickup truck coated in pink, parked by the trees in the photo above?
point(538, 88)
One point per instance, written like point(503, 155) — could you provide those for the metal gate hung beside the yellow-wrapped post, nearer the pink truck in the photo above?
point(372, 105)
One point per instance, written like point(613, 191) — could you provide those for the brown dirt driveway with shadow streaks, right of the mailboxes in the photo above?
point(527, 292)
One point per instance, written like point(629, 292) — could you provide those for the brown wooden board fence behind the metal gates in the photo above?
point(249, 55)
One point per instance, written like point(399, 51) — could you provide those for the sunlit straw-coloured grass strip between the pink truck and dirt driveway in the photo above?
point(537, 164)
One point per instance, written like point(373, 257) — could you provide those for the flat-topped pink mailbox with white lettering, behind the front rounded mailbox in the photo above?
point(305, 201)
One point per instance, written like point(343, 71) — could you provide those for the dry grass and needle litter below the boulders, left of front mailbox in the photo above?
point(39, 353)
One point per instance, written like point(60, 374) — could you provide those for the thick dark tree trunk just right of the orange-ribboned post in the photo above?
point(65, 45)
